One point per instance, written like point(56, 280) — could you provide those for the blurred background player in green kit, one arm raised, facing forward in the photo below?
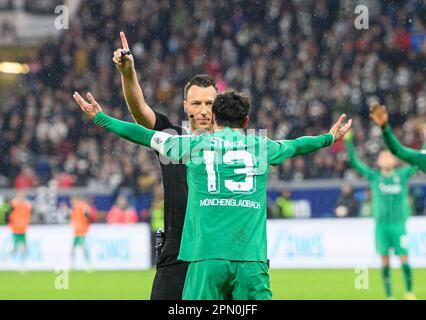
point(389, 188)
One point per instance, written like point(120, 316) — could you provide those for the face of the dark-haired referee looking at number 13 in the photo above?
point(198, 107)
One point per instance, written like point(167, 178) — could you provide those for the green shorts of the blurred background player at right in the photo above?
point(391, 236)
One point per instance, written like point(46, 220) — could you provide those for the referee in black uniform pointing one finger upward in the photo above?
point(199, 94)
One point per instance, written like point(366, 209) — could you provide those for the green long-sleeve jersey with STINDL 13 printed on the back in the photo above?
point(227, 181)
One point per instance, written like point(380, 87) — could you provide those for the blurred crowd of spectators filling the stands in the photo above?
point(302, 62)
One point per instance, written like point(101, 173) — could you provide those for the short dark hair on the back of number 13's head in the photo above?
point(231, 109)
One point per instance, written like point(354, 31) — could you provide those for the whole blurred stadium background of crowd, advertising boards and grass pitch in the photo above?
point(302, 62)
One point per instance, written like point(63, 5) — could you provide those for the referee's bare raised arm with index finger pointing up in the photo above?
point(139, 109)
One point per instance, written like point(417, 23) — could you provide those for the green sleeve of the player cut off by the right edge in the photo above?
point(412, 156)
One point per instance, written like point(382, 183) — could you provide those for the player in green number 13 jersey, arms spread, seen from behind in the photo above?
point(224, 235)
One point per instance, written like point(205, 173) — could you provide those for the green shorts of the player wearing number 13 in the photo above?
point(217, 279)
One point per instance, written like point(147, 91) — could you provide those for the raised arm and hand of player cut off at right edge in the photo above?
point(414, 157)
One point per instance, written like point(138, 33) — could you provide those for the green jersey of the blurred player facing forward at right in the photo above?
point(390, 198)
